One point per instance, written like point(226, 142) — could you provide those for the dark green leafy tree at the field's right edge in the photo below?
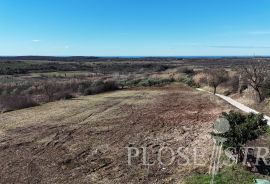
point(243, 128)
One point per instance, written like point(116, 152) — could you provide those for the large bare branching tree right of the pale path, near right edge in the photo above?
point(256, 75)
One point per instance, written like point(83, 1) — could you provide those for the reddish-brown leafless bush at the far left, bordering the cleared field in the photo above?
point(15, 102)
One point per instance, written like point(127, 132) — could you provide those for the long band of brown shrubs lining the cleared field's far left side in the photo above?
point(50, 89)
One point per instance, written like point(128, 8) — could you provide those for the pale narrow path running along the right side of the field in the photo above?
point(238, 105)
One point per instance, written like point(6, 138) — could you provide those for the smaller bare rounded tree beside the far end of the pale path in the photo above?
point(216, 77)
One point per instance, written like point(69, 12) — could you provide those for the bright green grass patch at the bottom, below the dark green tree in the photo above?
point(232, 175)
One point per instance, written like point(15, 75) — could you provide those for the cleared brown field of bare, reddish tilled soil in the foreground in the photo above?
point(84, 140)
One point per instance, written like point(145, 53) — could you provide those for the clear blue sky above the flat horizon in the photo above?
point(135, 27)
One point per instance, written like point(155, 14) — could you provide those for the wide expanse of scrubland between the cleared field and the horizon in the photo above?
point(45, 79)
